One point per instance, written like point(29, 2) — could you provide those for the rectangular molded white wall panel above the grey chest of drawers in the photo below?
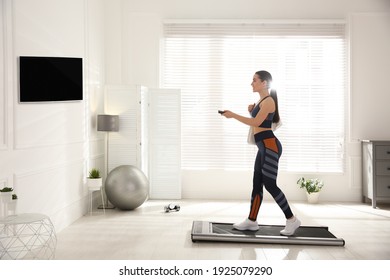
point(370, 69)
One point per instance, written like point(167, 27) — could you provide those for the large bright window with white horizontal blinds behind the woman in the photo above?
point(213, 65)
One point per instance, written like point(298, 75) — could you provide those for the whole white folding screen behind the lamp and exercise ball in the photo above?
point(149, 135)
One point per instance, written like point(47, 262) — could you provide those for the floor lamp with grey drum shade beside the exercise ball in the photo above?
point(107, 123)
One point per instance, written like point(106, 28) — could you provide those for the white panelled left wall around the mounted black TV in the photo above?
point(47, 148)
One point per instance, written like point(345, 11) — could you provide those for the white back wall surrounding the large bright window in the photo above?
point(137, 61)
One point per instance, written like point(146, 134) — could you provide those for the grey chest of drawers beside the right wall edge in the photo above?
point(376, 170)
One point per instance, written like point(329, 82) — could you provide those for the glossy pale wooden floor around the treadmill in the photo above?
point(148, 233)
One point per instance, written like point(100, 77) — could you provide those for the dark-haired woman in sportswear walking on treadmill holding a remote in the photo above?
point(269, 151)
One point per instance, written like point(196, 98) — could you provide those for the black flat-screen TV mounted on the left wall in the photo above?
point(45, 79)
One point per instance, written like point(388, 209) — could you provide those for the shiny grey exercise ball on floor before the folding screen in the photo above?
point(127, 187)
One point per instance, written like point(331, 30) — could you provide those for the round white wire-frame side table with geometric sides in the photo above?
point(27, 236)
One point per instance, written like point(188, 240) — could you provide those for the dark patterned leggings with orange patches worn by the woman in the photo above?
point(265, 174)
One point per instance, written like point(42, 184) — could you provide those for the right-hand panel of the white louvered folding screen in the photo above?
point(165, 143)
